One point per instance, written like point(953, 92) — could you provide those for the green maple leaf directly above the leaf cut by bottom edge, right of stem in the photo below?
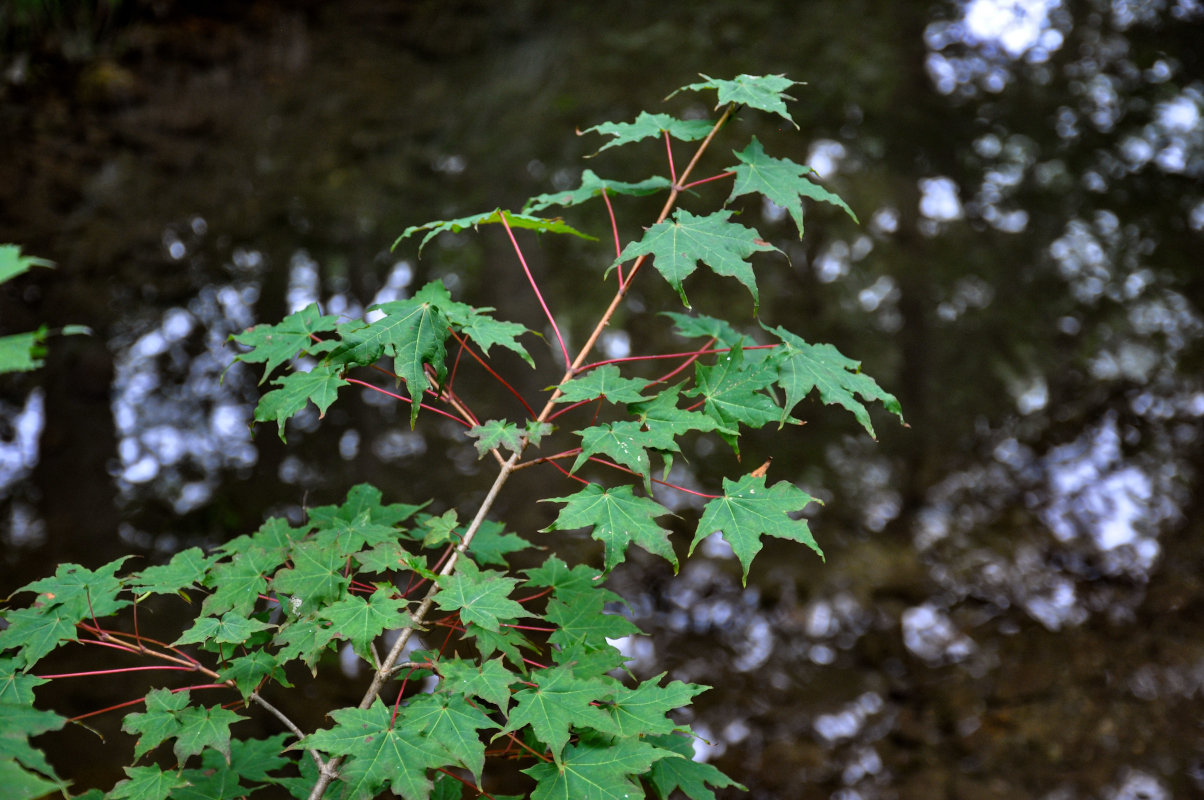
point(559, 702)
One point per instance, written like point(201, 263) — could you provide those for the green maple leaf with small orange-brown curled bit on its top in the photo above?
point(748, 510)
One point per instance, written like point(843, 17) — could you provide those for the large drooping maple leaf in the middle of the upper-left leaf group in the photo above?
point(412, 332)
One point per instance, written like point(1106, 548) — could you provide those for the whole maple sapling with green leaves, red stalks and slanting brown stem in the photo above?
point(520, 663)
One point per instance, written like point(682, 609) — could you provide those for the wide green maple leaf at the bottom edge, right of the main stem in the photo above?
point(597, 770)
